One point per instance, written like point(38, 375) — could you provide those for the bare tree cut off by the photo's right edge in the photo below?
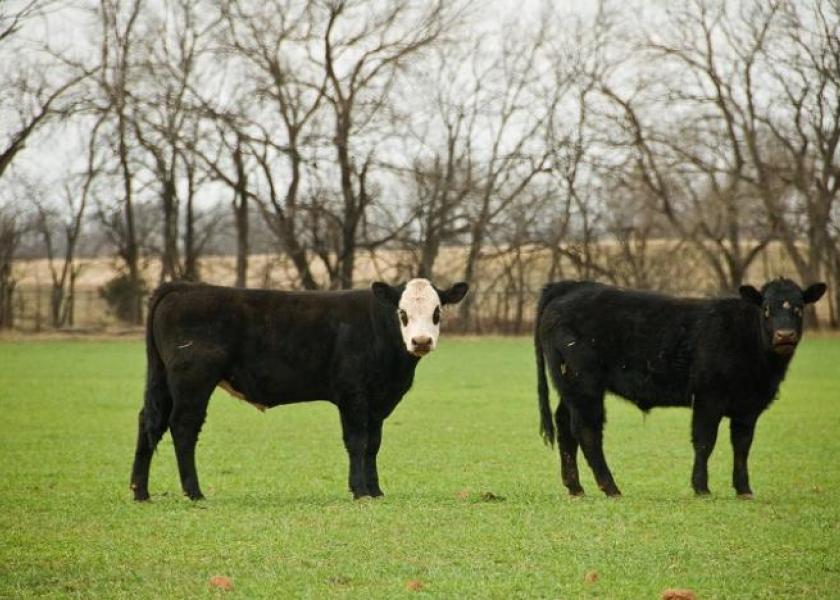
point(804, 129)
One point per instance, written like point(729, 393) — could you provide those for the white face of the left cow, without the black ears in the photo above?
point(419, 314)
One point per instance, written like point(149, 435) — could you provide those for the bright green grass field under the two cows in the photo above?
point(279, 522)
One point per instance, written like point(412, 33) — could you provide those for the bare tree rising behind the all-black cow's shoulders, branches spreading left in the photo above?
point(695, 164)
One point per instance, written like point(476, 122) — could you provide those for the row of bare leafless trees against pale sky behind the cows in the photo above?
point(327, 131)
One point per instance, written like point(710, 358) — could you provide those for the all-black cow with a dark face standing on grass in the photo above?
point(722, 357)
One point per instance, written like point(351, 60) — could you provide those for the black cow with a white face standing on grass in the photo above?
point(357, 349)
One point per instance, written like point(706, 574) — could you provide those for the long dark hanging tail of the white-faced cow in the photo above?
point(157, 403)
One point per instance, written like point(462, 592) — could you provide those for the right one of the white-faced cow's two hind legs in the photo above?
point(190, 399)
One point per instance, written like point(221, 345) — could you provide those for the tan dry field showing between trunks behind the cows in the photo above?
point(680, 271)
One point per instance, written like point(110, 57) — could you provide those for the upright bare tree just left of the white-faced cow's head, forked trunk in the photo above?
point(364, 51)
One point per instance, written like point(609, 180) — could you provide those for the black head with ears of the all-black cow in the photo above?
point(782, 303)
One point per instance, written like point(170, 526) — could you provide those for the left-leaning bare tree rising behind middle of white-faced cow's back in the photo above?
point(286, 95)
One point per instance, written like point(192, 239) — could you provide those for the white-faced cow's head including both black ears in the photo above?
point(417, 306)
